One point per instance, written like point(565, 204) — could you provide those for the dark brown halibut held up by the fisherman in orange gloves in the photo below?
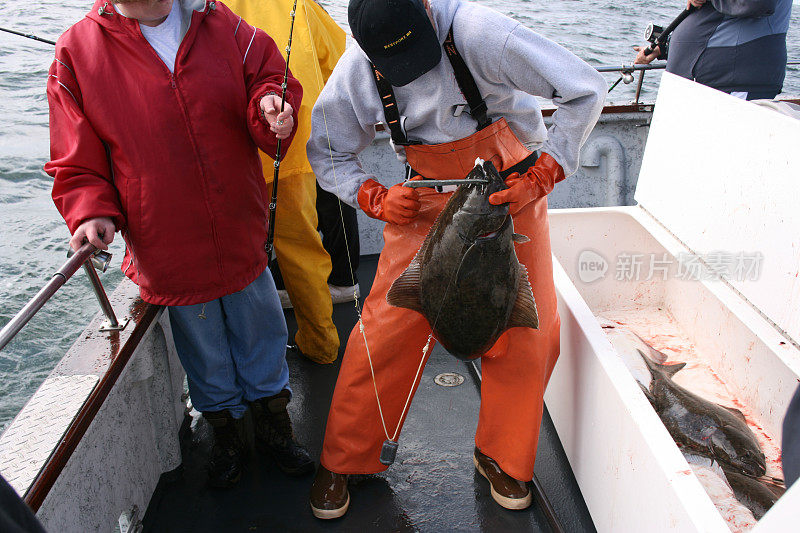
point(466, 279)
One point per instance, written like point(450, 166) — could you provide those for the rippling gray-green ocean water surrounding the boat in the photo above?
point(33, 237)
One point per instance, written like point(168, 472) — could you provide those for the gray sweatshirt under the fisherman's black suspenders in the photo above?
point(511, 65)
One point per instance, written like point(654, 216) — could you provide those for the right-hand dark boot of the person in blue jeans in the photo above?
point(274, 437)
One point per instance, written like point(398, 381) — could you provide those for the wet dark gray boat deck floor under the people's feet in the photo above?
point(432, 486)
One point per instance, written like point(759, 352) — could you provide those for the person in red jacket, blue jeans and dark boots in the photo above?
point(157, 108)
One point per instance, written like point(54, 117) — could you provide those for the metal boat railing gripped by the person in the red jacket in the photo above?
point(91, 259)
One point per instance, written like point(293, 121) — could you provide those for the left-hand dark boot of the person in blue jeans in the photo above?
point(225, 463)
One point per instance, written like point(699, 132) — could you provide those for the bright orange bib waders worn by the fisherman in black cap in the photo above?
point(515, 371)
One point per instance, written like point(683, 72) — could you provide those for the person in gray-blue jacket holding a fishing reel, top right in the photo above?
point(735, 46)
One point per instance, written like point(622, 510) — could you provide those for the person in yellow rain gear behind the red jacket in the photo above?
point(317, 44)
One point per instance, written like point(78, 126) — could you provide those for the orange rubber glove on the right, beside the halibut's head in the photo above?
point(535, 183)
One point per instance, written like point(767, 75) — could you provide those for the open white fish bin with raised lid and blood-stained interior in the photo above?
point(704, 269)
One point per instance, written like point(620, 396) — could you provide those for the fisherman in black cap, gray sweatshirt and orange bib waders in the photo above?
point(442, 114)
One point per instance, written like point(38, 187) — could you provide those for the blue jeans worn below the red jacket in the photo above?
point(233, 349)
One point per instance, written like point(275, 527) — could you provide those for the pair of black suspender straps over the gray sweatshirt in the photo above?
point(465, 82)
